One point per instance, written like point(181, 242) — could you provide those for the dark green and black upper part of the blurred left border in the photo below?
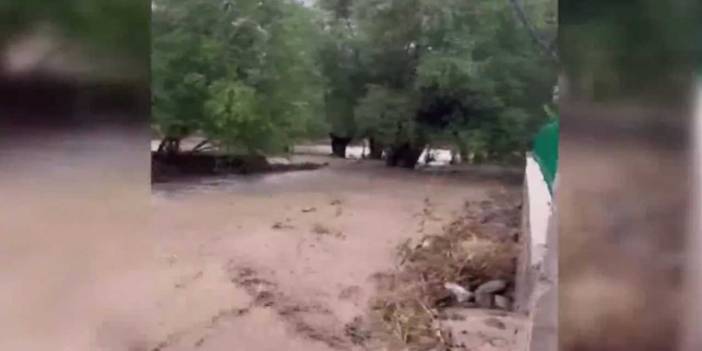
point(95, 68)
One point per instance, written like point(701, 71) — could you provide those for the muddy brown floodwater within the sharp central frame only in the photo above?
point(284, 262)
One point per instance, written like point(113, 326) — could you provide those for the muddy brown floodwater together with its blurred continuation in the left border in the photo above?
point(276, 262)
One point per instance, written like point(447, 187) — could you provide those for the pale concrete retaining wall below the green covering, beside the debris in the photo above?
point(537, 292)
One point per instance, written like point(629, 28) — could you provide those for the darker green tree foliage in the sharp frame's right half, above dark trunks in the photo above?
point(467, 72)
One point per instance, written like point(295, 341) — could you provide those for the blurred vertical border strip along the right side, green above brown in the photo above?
point(629, 70)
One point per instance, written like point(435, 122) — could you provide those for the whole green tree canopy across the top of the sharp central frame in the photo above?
point(256, 75)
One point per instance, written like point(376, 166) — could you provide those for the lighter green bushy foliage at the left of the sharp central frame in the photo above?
point(244, 73)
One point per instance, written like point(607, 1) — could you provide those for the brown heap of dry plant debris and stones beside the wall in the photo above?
point(471, 264)
